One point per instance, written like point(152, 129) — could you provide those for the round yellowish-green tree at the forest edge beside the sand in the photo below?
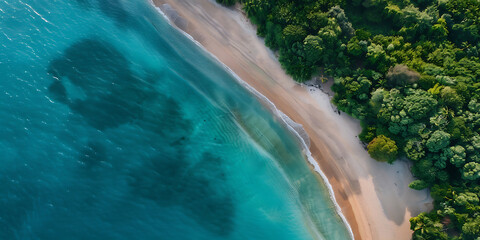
point(383, 149)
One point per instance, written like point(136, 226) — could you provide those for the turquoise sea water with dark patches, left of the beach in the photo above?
point(116, 126)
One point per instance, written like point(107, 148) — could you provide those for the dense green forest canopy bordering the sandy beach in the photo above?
point(409, 70)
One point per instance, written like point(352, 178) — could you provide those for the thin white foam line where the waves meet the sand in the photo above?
point(295, 128)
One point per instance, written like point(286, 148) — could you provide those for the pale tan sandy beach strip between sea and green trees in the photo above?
point(373, 196)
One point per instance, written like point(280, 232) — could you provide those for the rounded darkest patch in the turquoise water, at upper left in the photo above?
point(101, 87)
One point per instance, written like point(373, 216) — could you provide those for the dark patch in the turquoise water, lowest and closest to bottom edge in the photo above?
point(169, 180)
